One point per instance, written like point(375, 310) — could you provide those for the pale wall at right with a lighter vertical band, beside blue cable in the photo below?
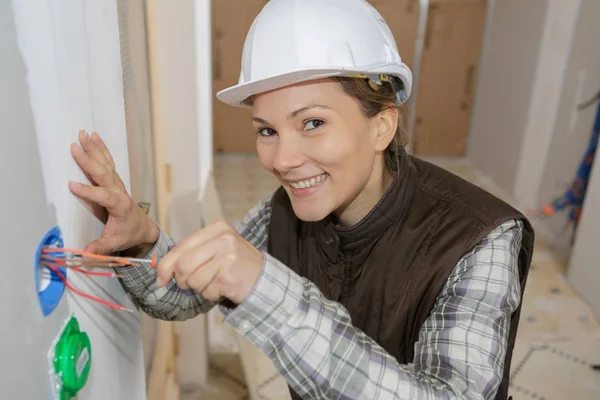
point(539, 63)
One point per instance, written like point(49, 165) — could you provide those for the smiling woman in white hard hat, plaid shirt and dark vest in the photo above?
point(369, 274)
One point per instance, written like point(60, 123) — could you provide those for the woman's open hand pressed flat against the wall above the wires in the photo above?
point(126, 225)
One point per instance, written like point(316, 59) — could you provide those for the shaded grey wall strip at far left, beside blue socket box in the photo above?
point(26, 334)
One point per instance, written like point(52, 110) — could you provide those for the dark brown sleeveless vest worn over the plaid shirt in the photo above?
point(389, 269)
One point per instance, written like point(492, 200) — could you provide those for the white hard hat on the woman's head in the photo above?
point(292, 41)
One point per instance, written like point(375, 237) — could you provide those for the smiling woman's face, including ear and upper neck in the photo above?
point(327, 154)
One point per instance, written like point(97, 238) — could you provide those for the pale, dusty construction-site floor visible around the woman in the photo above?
point(559, 334)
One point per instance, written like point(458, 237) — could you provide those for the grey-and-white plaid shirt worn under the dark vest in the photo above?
point(315, 347)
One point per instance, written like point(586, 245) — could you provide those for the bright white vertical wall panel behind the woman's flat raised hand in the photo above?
point(74, 78)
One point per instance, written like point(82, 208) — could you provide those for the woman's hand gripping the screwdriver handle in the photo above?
point(215, 261)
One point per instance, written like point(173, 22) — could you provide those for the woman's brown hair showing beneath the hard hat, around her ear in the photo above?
point(372, 102)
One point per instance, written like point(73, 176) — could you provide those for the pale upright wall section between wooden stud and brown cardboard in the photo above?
point(180, 106)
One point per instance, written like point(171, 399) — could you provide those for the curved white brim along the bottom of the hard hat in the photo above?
point(238, 94)
